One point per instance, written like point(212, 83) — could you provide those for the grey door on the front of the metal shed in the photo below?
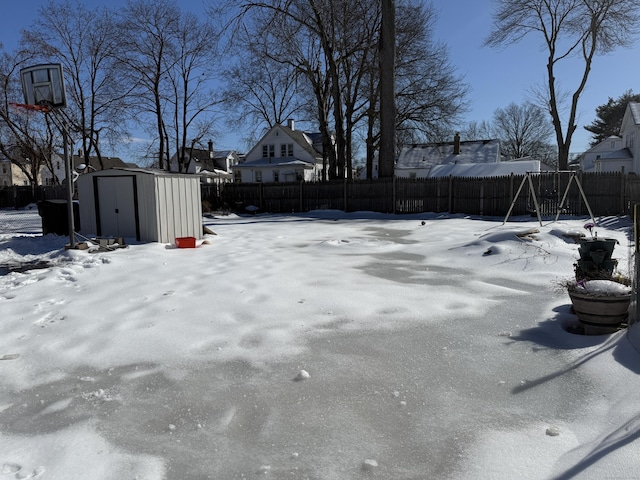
point(116, 206)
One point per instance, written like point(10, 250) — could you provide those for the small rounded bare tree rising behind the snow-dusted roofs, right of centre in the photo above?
point(523, 130)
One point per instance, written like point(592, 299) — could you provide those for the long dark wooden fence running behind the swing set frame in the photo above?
point(607, 194)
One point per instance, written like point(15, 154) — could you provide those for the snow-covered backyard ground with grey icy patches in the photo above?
point(319, 346)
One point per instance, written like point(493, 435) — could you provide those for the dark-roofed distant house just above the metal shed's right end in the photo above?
point(213, 166)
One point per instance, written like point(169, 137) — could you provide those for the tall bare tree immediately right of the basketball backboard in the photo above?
point(84, 41)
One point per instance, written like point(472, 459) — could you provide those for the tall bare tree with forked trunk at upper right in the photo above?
point(569, 29)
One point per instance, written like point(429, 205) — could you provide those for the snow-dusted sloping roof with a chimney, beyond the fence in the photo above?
point(430, 154)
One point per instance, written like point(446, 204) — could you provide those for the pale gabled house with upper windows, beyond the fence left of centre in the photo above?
point(283, 154)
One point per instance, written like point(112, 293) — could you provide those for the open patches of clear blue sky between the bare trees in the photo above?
point(496, 78)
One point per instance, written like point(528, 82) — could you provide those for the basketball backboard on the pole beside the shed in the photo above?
point(44, 85)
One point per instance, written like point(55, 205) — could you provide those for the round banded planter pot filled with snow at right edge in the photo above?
point(600, 314)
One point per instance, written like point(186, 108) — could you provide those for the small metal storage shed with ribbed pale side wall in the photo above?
point(148, 205)
